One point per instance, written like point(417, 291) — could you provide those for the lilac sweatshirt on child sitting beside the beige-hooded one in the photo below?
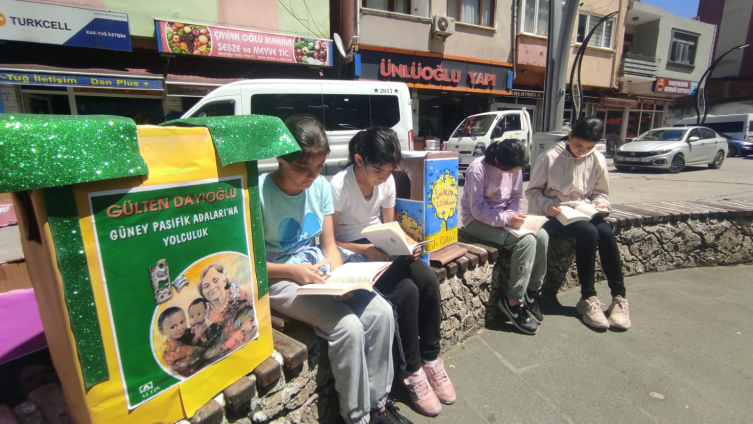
point(490, 195)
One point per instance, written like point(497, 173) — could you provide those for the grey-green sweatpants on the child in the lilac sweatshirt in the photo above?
point(528, 262)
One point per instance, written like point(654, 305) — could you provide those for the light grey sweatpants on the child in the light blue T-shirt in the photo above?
point(359, 332)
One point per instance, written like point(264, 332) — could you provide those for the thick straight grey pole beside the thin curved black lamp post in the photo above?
point(561, 24)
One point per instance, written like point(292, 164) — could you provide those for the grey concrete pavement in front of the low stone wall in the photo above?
point(687, 359)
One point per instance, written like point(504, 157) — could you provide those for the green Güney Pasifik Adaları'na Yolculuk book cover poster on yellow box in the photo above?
point(178, 279)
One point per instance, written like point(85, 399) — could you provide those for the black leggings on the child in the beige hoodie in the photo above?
point(588, 236)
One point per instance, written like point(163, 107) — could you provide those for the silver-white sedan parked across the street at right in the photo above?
point(672, 149)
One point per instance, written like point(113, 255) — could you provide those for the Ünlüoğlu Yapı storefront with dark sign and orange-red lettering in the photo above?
point(445, 89)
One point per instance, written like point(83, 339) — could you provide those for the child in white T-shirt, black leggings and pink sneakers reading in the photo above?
point(364, 195)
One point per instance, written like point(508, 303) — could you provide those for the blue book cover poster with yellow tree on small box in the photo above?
point(441, 202)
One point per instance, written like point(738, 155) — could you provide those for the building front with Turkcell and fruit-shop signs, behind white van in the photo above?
point(150, 61)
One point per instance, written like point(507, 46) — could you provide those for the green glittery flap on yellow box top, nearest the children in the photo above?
point(246, 138)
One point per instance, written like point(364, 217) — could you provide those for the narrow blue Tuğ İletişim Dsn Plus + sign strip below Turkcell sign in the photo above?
point(63, 80)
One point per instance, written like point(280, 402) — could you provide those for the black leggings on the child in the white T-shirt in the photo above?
point(413, 289)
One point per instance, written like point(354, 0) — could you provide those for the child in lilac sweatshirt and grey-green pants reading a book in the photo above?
point(492, 211)
